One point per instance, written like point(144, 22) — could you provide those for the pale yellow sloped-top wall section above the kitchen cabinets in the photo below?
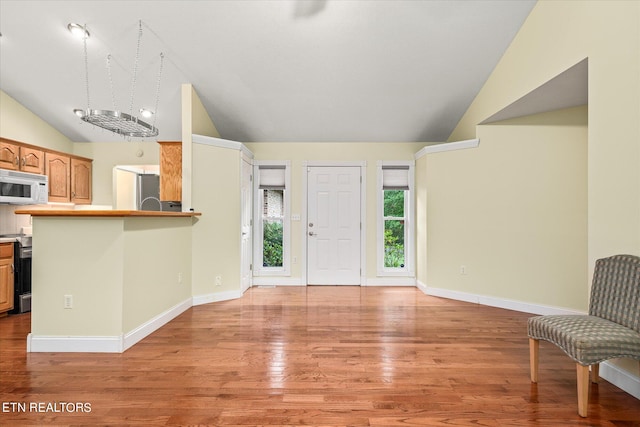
point(19, 124)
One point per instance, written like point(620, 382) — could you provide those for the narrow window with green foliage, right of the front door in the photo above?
point(395, 213)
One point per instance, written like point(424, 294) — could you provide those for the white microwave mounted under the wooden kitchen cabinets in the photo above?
point(21, 188)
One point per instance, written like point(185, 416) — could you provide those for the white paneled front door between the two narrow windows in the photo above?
point(333, 225)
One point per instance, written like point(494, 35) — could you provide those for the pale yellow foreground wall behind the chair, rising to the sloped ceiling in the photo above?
point(557, 35)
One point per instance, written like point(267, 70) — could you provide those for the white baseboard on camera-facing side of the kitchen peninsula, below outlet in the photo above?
point(69, 344)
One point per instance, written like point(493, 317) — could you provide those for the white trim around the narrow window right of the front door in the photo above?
point(409, 227)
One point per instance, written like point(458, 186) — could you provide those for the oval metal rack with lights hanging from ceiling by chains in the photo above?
point(115, 120)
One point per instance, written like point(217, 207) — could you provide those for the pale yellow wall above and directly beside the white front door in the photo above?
point(300, 152)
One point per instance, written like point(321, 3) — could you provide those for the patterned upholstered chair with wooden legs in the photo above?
point(610, 330)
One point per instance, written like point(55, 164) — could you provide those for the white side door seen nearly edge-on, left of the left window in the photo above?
point(246, 226)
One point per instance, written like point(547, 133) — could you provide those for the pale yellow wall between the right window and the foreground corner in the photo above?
point(512, 211)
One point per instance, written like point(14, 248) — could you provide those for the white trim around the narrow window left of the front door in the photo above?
point(258, 269)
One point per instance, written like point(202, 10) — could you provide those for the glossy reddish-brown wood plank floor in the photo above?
point(322, 356)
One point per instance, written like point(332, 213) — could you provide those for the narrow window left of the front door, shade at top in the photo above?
point(271, 227)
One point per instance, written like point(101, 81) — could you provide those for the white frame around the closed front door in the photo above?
point(363, 213)
